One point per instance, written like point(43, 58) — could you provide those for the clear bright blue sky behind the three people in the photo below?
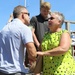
point(67, 7)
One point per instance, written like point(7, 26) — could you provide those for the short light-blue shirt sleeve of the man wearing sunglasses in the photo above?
point(27, 35)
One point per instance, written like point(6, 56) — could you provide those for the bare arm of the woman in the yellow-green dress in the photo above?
point(61, 49)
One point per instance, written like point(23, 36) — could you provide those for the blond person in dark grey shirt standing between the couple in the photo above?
point(40, 22)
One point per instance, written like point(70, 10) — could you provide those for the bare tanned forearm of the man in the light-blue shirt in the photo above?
point(31, 55)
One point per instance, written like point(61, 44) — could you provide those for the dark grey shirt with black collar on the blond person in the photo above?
point(41, 26)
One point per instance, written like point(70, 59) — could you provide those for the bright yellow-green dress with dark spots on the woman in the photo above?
point(57, 65)
